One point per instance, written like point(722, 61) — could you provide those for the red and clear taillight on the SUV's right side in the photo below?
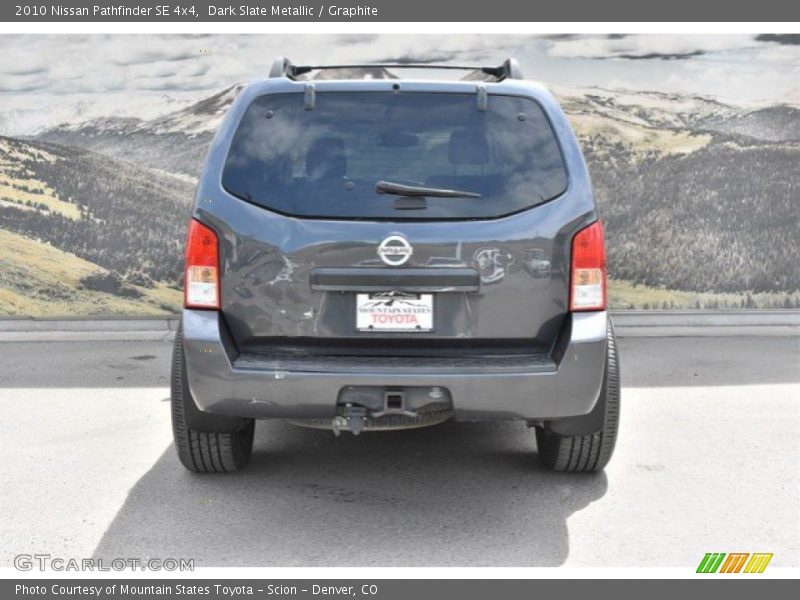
point(588, 274)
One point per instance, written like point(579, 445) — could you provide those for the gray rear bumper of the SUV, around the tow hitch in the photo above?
point(562, 385)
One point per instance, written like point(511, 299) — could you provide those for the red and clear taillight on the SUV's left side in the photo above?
point(201, 274)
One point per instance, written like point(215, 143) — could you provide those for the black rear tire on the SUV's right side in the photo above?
point(590, 452)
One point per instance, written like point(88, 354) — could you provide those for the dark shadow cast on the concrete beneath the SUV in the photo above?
point(459, 494)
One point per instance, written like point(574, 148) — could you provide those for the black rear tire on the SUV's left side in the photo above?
point(212, 444)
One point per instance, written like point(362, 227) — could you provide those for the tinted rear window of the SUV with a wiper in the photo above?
point(327, 161)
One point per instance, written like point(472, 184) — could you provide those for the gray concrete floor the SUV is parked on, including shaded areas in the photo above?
point(707, 460)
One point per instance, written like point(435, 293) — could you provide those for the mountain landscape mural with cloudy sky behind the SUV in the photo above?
point(693, 143)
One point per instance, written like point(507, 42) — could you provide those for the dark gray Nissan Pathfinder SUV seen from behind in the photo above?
point(373, 253)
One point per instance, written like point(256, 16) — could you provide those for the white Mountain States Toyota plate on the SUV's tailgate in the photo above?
point(394, 311)
